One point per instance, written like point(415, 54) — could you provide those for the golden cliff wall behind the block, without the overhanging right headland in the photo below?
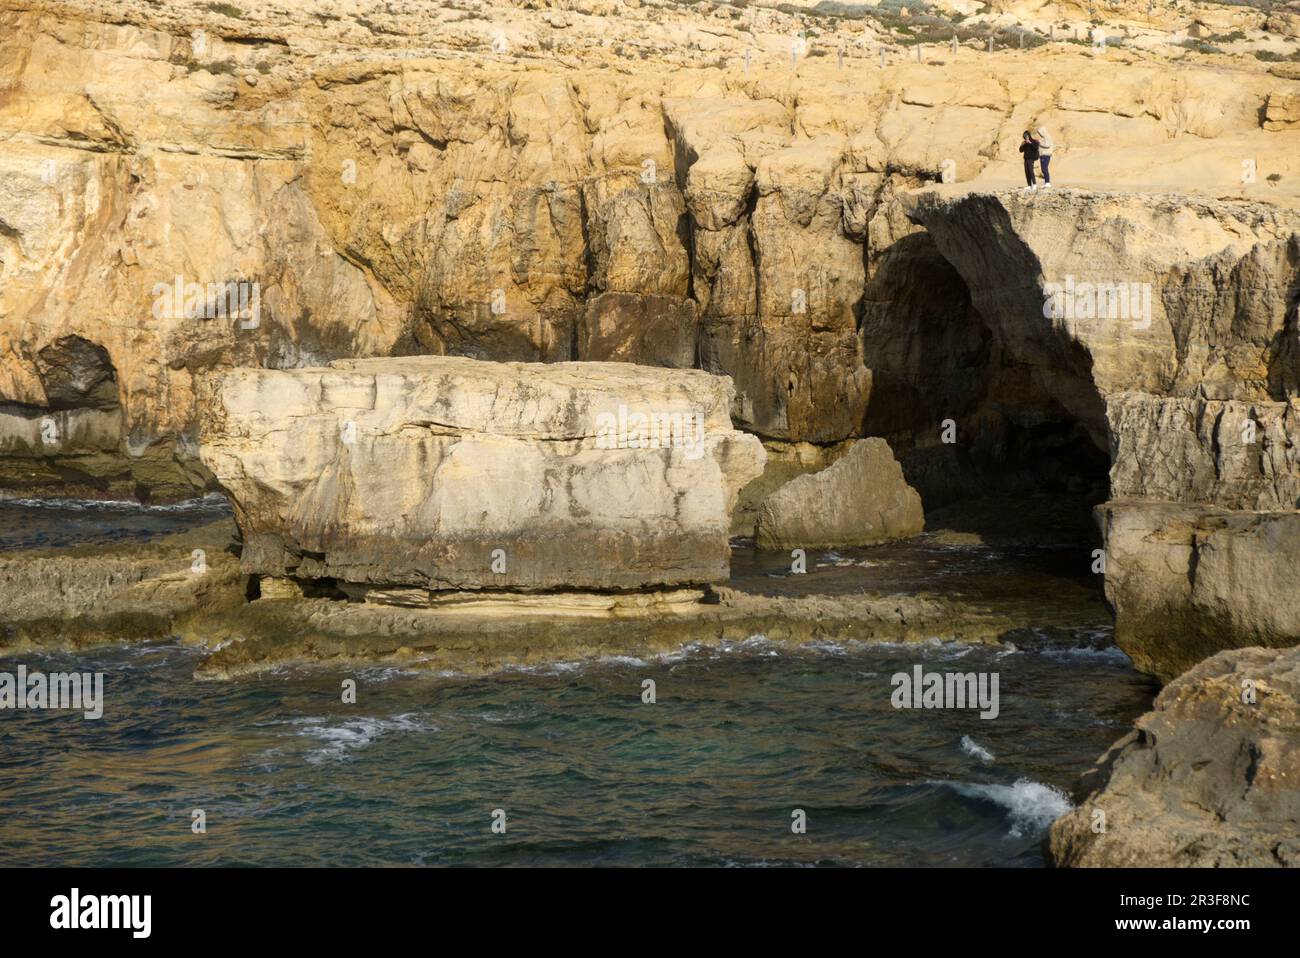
point(538, 185)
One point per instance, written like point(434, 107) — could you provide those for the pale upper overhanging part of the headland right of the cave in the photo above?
point(1155, 296)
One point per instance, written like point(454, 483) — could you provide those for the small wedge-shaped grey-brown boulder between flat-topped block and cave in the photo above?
point(860, 500)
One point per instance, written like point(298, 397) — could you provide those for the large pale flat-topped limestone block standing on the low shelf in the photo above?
point(456, 474)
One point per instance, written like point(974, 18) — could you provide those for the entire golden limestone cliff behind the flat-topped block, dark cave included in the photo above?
point(197, 188)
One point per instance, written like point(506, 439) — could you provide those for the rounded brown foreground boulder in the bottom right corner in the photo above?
point(1208, 778)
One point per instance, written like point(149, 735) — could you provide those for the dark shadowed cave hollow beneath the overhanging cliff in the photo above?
point(1002, 437)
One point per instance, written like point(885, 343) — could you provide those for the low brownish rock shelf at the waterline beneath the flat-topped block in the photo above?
point(259, 623)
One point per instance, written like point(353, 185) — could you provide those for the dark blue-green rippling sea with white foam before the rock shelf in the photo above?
point(584, 771)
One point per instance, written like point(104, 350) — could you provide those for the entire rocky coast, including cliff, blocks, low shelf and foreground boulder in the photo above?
point(505, 348)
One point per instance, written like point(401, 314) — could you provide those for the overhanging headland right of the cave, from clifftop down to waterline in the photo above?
point(1167, 327)
